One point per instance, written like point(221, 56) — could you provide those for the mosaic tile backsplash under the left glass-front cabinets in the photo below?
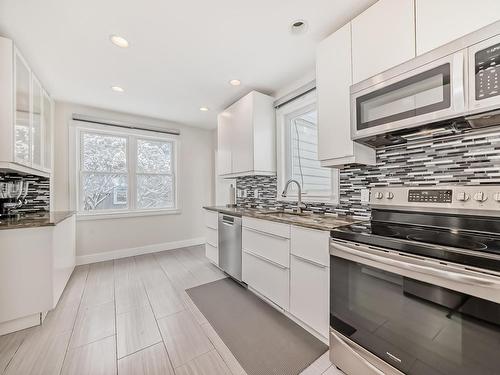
point(38, 198)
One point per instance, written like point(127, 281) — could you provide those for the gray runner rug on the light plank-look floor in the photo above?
point(264, 341)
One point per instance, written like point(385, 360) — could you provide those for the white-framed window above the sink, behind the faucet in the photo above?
point(297, 123)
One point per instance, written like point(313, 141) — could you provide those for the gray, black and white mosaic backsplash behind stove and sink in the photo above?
point(471, 158)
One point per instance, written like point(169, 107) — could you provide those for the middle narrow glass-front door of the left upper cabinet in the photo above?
point(36, 123)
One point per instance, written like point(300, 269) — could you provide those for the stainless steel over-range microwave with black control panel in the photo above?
point(457, 80)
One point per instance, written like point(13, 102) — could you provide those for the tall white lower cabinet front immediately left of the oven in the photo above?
point(309, 293)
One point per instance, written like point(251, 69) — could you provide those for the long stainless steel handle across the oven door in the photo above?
point(461, 277)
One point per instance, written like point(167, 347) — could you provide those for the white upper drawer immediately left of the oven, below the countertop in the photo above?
point(310, 244)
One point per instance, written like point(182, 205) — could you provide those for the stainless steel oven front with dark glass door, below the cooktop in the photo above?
point(412, 315)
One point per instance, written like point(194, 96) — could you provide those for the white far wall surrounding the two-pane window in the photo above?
point(195, 184)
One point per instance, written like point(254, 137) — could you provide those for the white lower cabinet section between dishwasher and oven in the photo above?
point(290, 266)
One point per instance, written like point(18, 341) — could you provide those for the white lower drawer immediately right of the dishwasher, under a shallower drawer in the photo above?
point(269, 279)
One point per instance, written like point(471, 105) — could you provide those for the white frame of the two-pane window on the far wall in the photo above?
point(76, 131)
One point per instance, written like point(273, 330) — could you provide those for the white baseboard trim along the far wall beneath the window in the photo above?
point(124, 253)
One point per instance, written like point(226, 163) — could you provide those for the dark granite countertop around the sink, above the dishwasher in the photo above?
point(308, 220)
